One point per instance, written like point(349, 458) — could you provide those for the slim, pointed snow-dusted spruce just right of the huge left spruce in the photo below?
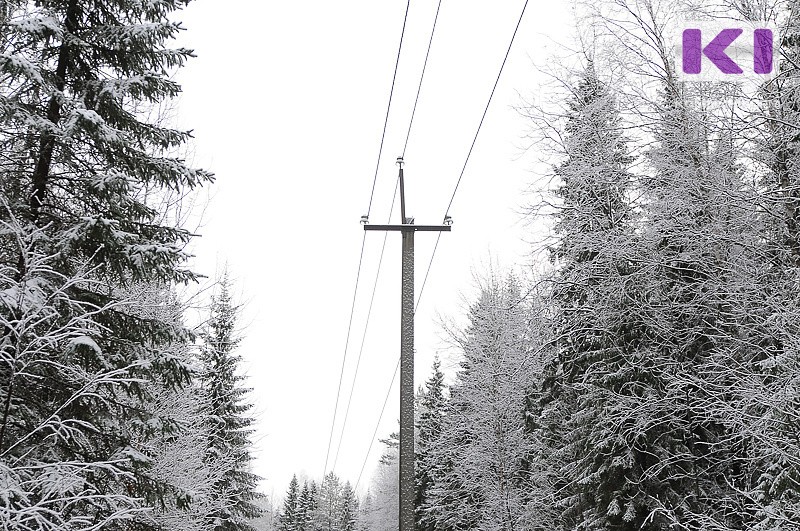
point(228, 425)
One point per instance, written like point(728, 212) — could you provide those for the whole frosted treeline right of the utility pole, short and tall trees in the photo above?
point(649, 380)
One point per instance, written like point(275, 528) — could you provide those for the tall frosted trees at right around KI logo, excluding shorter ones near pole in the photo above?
point(668, 402)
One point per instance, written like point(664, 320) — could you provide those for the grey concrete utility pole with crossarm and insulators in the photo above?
point(407, 229)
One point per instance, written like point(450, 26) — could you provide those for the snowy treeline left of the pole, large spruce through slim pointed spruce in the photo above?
point(114, 414)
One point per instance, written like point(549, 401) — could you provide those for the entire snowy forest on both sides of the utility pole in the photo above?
point(642, 372)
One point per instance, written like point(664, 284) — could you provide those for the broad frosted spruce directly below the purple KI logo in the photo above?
point(700, 265)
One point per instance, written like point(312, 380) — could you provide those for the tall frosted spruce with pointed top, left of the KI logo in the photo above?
point(595, 329)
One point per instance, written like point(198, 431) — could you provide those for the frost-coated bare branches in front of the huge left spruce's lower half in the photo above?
point(68, 458)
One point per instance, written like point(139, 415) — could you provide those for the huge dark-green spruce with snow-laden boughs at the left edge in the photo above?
point(80, 165)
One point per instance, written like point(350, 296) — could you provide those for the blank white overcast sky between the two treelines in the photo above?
point(287, 102)
